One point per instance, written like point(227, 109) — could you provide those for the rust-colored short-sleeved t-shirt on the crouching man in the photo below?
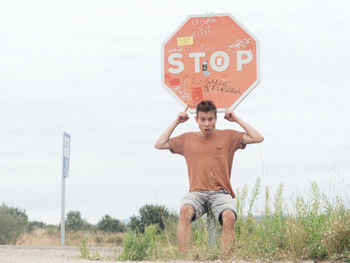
point(209, 160)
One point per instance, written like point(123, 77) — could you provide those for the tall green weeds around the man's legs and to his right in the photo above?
point(315, 228)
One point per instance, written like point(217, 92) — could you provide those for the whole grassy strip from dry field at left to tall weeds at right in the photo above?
point(315, 227)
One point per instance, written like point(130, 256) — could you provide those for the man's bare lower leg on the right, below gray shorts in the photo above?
point(228, 231)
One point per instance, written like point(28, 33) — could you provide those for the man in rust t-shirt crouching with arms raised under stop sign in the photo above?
point(209, 156)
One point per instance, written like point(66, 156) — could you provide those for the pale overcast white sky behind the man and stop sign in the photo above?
point(93, 69)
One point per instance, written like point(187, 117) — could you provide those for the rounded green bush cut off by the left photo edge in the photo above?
point(12, 224)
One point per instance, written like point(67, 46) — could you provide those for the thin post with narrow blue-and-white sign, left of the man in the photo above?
point(65, 172)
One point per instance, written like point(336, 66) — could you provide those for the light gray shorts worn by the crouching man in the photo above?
point(216, 201)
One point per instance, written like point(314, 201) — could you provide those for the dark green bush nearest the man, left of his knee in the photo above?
point(149, 215)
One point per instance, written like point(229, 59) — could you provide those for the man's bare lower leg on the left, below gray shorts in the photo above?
point(184, 232)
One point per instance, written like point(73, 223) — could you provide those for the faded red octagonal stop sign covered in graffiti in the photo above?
point(210, 57)
